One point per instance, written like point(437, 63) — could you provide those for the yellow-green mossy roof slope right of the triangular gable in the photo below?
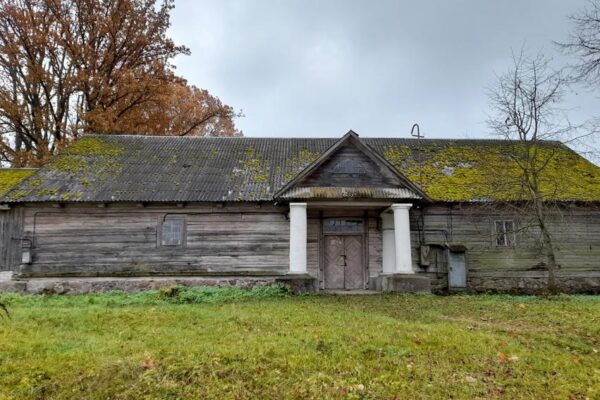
point(468, 173)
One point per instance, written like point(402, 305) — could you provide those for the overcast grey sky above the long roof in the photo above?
point(318, 68)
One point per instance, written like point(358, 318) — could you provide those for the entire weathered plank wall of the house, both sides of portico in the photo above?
point(247, 239)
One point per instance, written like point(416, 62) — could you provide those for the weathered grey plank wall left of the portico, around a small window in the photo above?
point(88, 240)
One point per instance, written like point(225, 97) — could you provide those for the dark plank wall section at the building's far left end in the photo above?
point(11, 224)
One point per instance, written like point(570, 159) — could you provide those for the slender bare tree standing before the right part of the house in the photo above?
point(525, 112)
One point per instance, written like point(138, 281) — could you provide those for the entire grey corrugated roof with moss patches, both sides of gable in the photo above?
point(107, 168)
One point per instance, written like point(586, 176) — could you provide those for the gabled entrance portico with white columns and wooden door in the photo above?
point(349, 218)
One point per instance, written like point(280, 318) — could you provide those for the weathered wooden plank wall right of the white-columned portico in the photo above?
point(576, 232)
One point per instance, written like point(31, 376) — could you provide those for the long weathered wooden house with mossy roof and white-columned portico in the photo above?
point(129, 212)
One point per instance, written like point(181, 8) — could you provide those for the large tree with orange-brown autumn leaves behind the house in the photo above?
point(102, 66)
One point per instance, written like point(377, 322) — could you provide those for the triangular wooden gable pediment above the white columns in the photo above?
point(350, 168)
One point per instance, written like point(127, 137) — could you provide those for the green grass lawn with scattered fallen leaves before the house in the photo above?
point(265, 346)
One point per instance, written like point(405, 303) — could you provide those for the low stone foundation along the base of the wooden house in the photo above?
point(402, 283)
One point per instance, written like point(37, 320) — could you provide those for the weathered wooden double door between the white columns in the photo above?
point(344, 262)
